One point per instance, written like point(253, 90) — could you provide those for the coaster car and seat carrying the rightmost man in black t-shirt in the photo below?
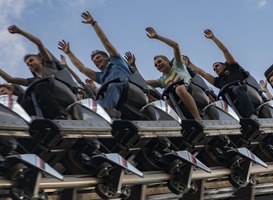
point(256, 134)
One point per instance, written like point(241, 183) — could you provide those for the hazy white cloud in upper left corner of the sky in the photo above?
point(12, 47)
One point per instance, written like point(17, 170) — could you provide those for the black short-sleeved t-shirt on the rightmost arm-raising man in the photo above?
point(231, 73)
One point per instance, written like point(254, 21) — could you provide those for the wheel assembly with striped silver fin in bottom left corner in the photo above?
point(27, 170)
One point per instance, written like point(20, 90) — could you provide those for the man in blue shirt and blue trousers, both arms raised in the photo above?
point(112, 66)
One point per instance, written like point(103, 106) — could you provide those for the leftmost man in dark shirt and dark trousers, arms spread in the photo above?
point(42, 66)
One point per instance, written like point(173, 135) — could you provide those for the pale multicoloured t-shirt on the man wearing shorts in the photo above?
point(178, 72)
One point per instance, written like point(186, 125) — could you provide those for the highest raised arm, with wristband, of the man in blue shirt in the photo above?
point(88, 19)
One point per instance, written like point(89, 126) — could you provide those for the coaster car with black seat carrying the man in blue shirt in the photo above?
point(141, 135)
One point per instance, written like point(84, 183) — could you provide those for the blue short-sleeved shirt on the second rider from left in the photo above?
point(117, 67)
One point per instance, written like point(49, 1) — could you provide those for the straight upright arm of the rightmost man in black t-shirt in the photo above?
point(210, 35)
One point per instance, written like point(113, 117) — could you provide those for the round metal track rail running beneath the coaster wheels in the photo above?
point(84, 181)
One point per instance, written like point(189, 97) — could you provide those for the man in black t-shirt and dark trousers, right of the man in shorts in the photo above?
point(228, 72)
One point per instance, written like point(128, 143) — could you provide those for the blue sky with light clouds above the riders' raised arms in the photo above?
point(244, 26)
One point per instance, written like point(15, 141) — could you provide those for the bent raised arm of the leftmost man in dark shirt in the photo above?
point(43, 51)
